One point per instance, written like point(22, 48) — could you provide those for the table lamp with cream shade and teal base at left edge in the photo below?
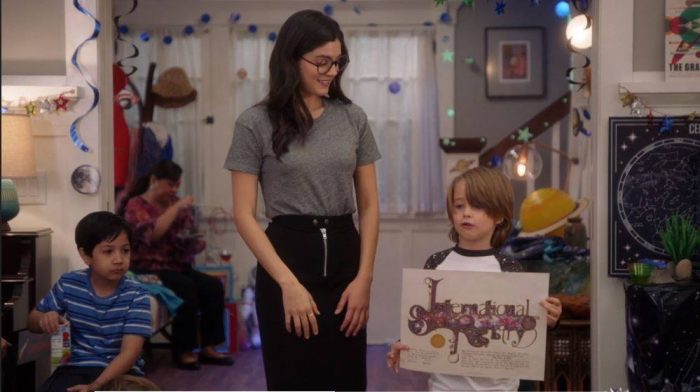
point(17, 161)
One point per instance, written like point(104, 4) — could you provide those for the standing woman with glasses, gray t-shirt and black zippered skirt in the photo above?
point(307, 145)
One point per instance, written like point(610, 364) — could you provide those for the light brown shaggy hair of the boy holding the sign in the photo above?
point(486, 189)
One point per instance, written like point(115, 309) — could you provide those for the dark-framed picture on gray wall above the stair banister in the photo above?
point(515, 62)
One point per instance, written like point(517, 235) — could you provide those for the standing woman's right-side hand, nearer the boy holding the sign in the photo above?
point(356, 297)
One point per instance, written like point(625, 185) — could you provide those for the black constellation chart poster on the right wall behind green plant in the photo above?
point(654, 172)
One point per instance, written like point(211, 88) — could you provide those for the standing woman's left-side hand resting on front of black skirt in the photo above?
point(300, 308)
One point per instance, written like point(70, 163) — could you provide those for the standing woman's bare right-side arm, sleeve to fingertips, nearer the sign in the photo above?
point(356, 295)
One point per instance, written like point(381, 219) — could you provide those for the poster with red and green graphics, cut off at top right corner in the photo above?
point(682, 38)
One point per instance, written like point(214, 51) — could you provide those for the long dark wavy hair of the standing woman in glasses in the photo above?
point(303, 32)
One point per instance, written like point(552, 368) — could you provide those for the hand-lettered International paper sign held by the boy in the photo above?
point(486, 324)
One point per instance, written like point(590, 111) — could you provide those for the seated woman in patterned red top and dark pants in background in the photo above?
point(165, 244)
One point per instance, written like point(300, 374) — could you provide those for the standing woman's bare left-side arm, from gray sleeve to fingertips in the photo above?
point(299, 306)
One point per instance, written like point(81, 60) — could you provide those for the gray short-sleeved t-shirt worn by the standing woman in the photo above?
point(316, 176)
